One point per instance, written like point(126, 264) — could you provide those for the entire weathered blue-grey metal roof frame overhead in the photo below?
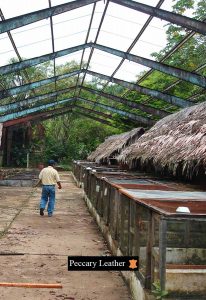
point(22, 20)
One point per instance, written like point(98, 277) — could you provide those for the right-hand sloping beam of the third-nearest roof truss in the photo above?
point(154, 93)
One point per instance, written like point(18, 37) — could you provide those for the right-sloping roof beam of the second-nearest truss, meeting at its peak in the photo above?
point(177, 72)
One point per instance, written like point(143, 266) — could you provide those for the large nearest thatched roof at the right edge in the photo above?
point(176, 145)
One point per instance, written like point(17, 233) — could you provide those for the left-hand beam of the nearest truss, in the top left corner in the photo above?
point(35, 16)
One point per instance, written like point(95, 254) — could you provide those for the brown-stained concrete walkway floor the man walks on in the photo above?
point(46, 243)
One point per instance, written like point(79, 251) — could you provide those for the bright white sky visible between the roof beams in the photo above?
point(120, 27)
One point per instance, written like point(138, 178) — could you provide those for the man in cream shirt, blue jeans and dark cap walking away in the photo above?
point(49, 177)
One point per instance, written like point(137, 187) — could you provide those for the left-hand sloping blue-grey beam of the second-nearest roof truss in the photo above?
point(40, 59)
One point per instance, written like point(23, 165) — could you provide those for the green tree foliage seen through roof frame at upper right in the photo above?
point(189, 56)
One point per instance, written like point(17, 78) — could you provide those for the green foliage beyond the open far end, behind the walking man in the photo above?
point(72, 137)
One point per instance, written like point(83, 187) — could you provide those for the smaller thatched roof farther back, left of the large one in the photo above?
point(114, 144)
